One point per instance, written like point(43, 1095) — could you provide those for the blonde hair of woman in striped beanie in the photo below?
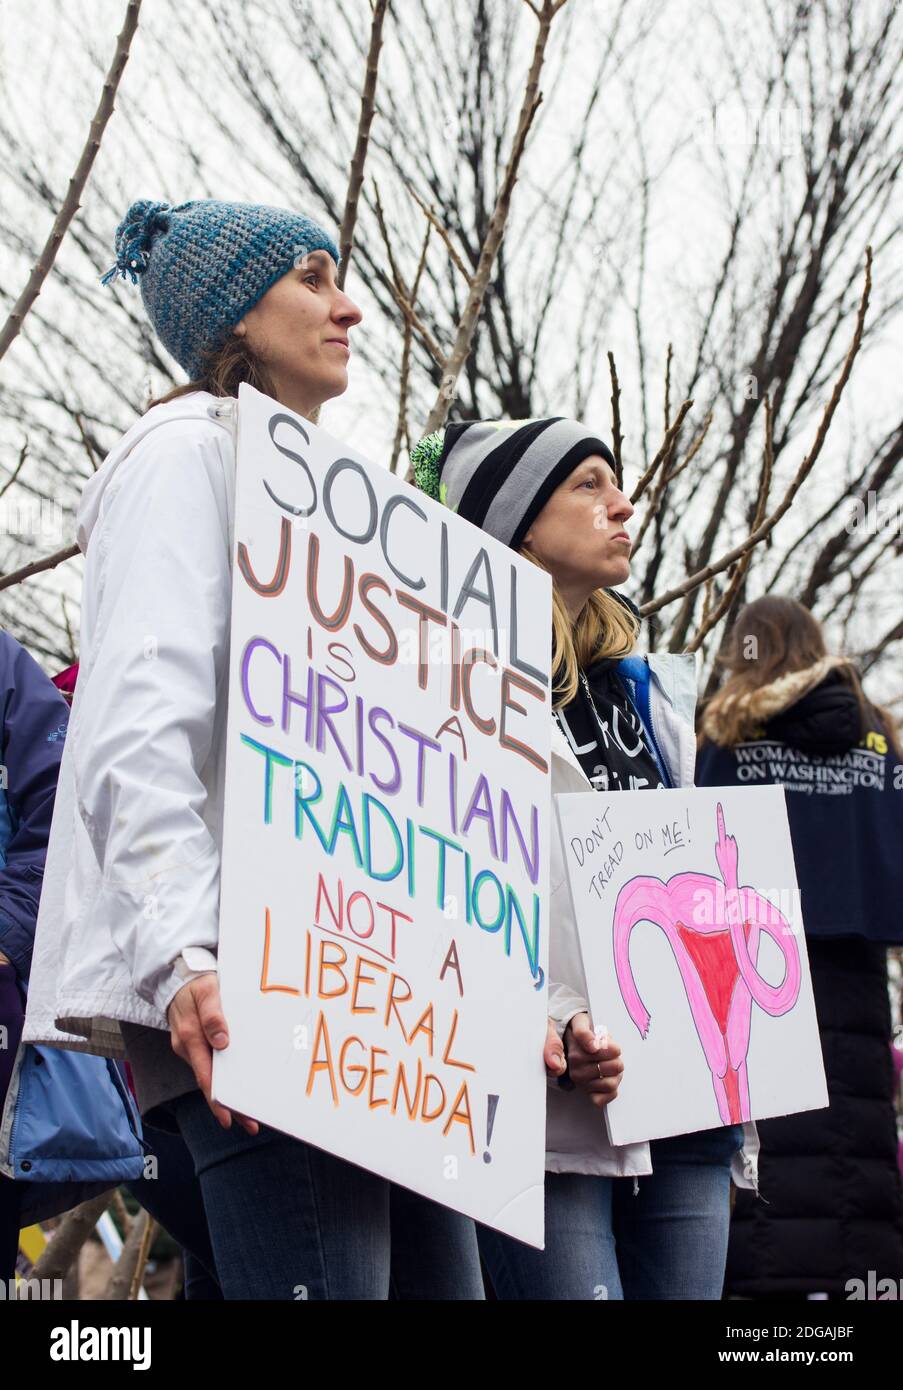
point(606, 628)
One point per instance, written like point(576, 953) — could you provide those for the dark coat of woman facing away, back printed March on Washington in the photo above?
point(831, 1204)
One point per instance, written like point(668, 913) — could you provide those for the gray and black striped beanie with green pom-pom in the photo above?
point(501, 473)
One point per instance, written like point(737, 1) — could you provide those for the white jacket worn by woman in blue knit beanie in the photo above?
point(133, 874)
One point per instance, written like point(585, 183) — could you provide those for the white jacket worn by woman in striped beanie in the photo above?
point(577, 1140)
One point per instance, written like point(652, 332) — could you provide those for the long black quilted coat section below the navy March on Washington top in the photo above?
point(831, 1204)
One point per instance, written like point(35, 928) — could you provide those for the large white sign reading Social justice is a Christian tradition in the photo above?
point(384, 933)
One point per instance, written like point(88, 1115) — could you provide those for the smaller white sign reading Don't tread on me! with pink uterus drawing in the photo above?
point(693, 940)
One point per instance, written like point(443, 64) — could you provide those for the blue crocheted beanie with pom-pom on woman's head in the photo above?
point(205, 263)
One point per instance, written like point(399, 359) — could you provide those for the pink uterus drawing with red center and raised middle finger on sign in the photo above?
point(716, 960)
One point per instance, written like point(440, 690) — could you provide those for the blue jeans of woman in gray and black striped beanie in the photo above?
point(602, 1242)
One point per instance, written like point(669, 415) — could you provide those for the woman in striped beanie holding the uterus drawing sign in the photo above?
point(551, 490)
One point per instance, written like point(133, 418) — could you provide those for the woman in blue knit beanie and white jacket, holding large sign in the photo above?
point(126, 953)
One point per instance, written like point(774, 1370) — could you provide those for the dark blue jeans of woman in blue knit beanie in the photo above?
point(292, 1223)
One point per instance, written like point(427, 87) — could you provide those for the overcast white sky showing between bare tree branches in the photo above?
point(51, 55)
